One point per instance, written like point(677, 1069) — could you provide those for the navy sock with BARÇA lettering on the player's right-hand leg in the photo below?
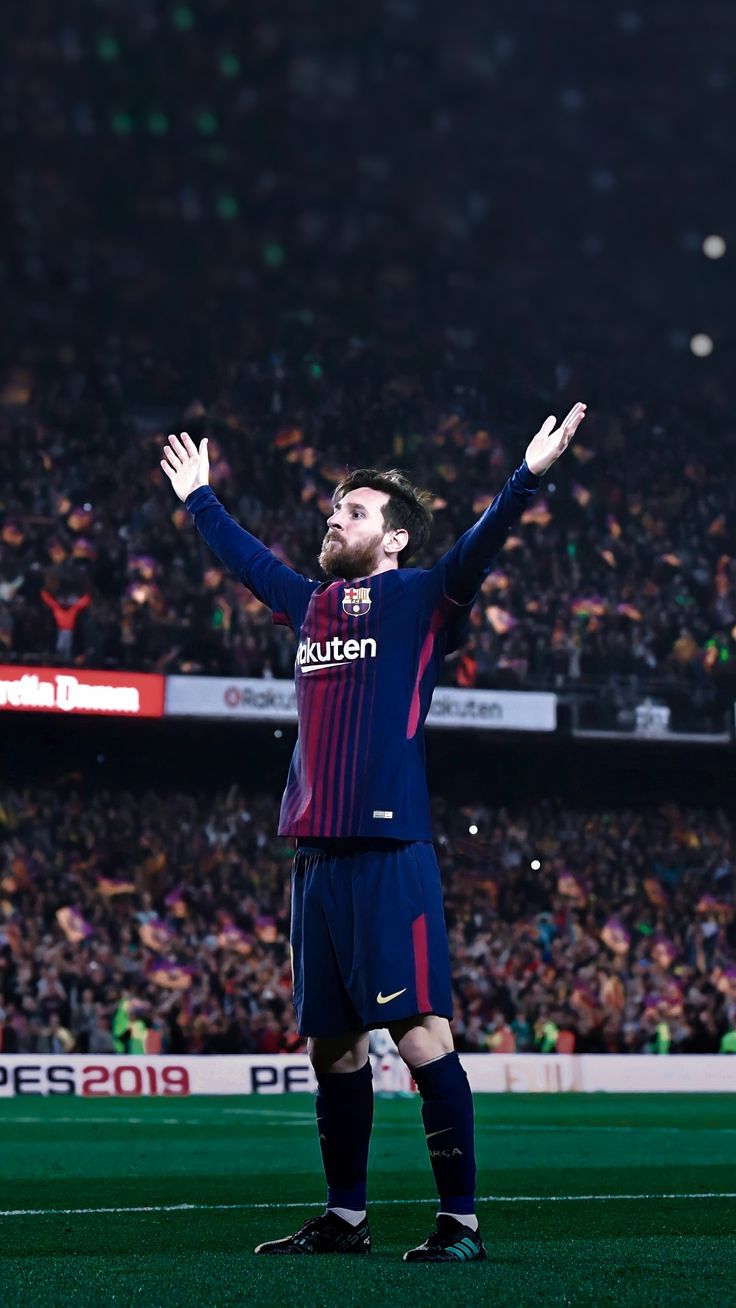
point(448, 1115)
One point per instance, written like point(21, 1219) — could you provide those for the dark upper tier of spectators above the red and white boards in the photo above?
point(278, 305)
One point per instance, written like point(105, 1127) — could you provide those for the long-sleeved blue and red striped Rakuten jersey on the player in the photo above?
point(368, 661)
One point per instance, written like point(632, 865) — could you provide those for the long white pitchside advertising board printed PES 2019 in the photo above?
point(107, 1076)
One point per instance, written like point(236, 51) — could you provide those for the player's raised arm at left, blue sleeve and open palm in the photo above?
point(286, 592)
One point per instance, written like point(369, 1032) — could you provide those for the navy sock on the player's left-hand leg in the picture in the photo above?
point(344, 1119)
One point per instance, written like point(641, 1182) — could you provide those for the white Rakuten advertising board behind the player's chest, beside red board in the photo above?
point(254, 699)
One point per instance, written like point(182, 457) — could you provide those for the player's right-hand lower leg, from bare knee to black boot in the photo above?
point(426, 1043)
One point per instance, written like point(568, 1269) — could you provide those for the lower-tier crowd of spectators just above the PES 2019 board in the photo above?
point(160, 923)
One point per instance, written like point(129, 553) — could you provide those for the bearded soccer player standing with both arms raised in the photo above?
point(368, 929)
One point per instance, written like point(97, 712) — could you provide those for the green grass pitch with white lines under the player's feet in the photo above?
point(586, 1200)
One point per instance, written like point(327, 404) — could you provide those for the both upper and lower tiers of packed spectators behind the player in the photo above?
point(321, 287)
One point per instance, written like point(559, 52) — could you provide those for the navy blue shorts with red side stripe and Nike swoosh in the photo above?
point(369, 942)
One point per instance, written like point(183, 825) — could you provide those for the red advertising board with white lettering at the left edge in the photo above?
point(71, 690)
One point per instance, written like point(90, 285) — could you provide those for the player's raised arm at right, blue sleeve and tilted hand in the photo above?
point(469, 562)
